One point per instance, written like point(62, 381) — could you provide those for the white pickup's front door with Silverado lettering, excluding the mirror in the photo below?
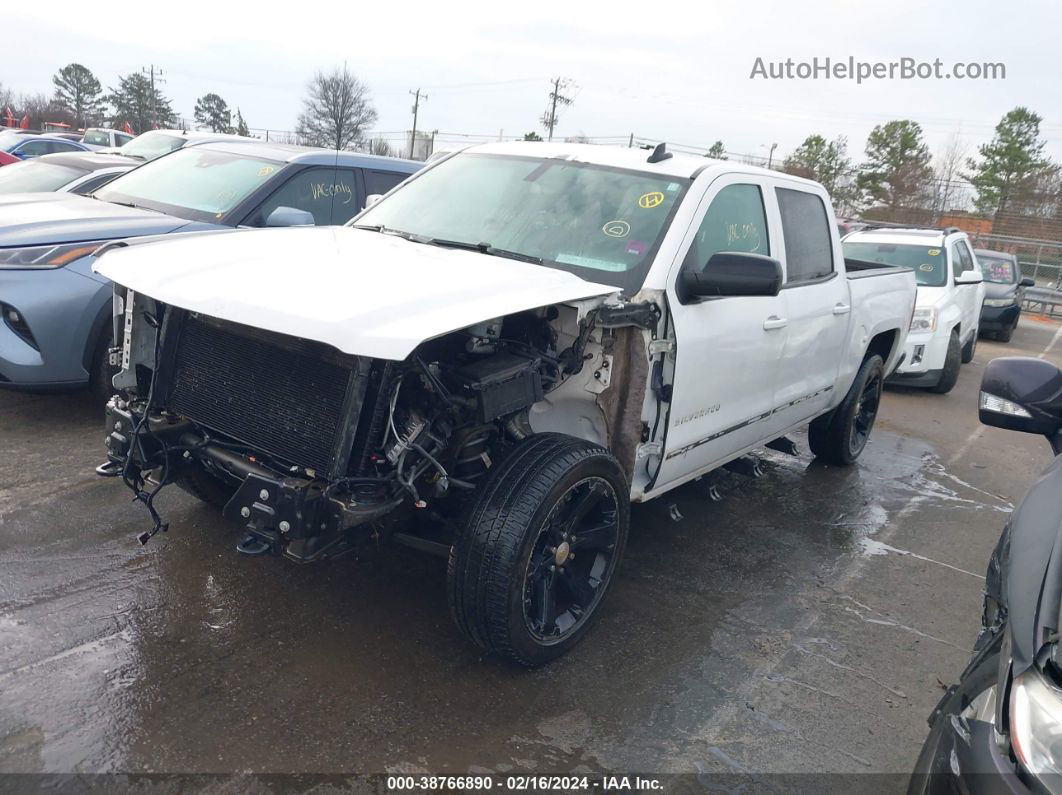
point(727, 349)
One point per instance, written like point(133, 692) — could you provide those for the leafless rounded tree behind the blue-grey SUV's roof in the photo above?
point(337, 111)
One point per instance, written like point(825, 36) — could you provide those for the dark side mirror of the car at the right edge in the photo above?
point(1022, 394)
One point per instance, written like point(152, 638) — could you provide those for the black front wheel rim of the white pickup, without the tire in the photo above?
point(572, 561)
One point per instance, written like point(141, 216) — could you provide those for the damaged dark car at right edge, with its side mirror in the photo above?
point(998, 731)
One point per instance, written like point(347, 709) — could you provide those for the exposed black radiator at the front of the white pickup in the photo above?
point(282, 395)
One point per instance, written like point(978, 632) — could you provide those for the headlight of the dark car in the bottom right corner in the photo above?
point(1036, 724)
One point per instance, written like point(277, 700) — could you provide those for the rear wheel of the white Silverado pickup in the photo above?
point(841, 437)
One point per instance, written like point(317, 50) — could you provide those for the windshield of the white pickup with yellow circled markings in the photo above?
point(602, 223)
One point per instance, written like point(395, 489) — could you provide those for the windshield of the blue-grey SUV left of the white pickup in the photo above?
point(195, 183)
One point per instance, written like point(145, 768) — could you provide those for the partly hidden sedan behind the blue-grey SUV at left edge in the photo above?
point(70, 174)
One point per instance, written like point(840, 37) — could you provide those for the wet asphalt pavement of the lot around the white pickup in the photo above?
point(804, 624)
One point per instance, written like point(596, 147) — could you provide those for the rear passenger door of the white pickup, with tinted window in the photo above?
point(818, 305)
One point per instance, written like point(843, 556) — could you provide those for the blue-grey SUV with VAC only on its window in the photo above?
point(47, 240)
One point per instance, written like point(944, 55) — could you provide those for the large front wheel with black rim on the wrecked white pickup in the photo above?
point(539, 549)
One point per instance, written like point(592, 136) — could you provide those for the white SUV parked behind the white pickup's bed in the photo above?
point(951, 293)
